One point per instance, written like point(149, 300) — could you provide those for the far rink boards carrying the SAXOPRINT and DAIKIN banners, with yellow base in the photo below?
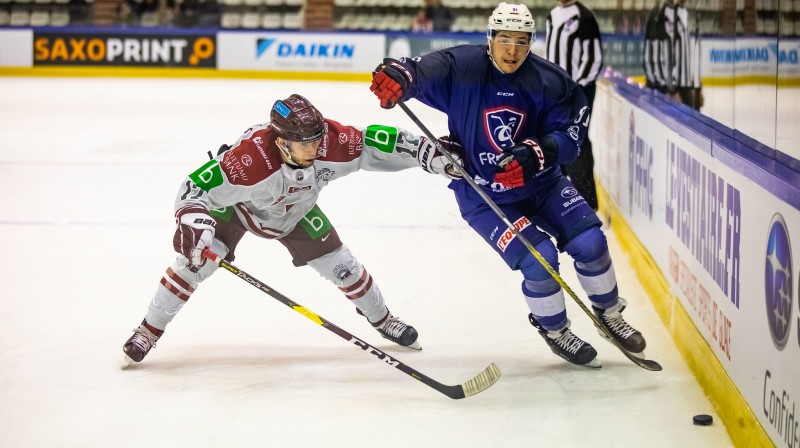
point(338, 56)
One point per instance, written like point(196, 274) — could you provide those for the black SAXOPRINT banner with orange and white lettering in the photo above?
point(119, 49)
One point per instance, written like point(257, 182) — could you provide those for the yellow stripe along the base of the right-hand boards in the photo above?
point(740, 421)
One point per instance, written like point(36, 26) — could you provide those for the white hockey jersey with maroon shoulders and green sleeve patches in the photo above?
point(268, 196)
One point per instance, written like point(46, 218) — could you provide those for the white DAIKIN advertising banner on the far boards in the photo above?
point(307, 52)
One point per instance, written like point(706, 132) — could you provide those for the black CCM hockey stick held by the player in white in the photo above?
point(477, 384)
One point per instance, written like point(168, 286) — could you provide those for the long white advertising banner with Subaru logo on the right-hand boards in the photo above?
point(725, 244)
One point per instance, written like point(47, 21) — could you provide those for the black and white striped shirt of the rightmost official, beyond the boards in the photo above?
point(668, 63)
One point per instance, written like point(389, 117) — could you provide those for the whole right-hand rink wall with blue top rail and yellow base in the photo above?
point(711, 226)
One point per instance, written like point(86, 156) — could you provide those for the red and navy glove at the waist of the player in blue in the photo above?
point(522, 162)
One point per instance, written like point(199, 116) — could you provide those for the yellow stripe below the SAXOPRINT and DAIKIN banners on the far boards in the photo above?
point(162, 72)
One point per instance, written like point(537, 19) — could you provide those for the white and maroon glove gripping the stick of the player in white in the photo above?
point(194, 233)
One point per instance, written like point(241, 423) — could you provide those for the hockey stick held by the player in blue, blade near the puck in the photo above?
point(643, 363)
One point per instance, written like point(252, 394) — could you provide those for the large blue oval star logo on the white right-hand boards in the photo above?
point(778, 281)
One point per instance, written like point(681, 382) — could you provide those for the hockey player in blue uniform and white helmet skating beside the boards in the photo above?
point(518, 117)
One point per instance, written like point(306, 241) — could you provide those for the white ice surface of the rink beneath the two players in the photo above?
point(90, 170)
